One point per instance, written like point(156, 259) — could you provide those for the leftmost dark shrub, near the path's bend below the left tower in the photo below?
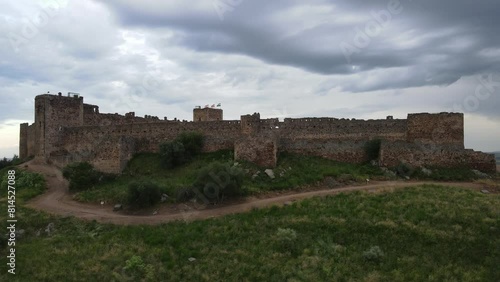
point(81, 176)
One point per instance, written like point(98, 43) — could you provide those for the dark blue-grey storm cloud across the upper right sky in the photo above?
point(450, 36)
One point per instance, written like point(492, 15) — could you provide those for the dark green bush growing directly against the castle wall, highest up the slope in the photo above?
point(186, 146)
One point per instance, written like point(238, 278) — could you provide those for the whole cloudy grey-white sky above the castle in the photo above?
point(282, 58)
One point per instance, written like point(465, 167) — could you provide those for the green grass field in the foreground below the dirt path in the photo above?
point(429, 233)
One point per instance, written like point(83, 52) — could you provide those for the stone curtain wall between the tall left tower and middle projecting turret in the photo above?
point(110, 147)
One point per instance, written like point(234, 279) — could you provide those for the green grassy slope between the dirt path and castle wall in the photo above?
point(296, 171)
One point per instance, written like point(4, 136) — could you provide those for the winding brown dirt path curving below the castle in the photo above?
point(57, 200)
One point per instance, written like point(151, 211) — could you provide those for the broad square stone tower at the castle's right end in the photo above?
point(442, 129)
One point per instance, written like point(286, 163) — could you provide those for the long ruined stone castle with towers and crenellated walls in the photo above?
point(67, 130)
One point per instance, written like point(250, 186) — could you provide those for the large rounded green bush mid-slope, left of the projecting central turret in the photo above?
point(219, 180)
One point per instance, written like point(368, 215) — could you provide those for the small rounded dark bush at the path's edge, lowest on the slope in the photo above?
point(143, 194)
